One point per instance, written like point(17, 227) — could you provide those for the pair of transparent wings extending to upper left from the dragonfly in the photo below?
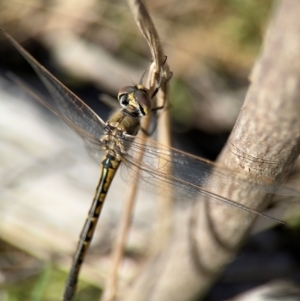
point(69, 107)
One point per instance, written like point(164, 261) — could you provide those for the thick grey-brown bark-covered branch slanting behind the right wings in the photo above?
point(263, 146)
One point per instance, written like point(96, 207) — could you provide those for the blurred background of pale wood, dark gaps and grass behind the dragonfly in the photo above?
point(48, 179)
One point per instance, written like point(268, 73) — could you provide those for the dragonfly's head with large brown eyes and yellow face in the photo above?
point(137, 97)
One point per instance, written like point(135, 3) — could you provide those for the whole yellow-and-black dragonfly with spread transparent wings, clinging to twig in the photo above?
point(162, 166)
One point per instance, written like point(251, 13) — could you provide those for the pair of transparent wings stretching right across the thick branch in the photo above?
point(187, 176)
